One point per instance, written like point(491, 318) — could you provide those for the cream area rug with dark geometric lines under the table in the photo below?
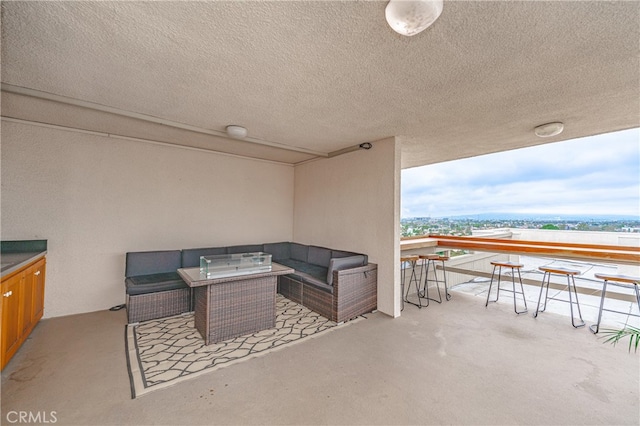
point(167, 351)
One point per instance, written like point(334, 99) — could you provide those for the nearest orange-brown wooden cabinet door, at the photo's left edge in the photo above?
point(11, 315)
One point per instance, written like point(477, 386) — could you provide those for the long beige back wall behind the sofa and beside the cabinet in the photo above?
point(95, 198)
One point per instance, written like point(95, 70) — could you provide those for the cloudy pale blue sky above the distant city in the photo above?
point(595, 175)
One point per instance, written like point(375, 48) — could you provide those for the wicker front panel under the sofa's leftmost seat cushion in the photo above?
point(144, 307)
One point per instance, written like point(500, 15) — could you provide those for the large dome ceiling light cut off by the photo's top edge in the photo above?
point(409, 17)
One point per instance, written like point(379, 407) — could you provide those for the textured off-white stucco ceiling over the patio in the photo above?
point(310, 78)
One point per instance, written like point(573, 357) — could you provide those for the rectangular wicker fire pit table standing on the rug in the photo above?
point(229, 307)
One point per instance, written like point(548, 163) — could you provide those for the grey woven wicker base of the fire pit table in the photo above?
point(239, 307)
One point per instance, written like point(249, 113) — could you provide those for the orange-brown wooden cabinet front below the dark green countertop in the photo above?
point(22, 307)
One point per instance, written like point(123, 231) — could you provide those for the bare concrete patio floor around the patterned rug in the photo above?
point(455, 363)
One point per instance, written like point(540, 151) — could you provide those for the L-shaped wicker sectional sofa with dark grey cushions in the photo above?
point(337, 284)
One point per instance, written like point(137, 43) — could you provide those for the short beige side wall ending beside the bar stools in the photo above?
point(352, 202)
